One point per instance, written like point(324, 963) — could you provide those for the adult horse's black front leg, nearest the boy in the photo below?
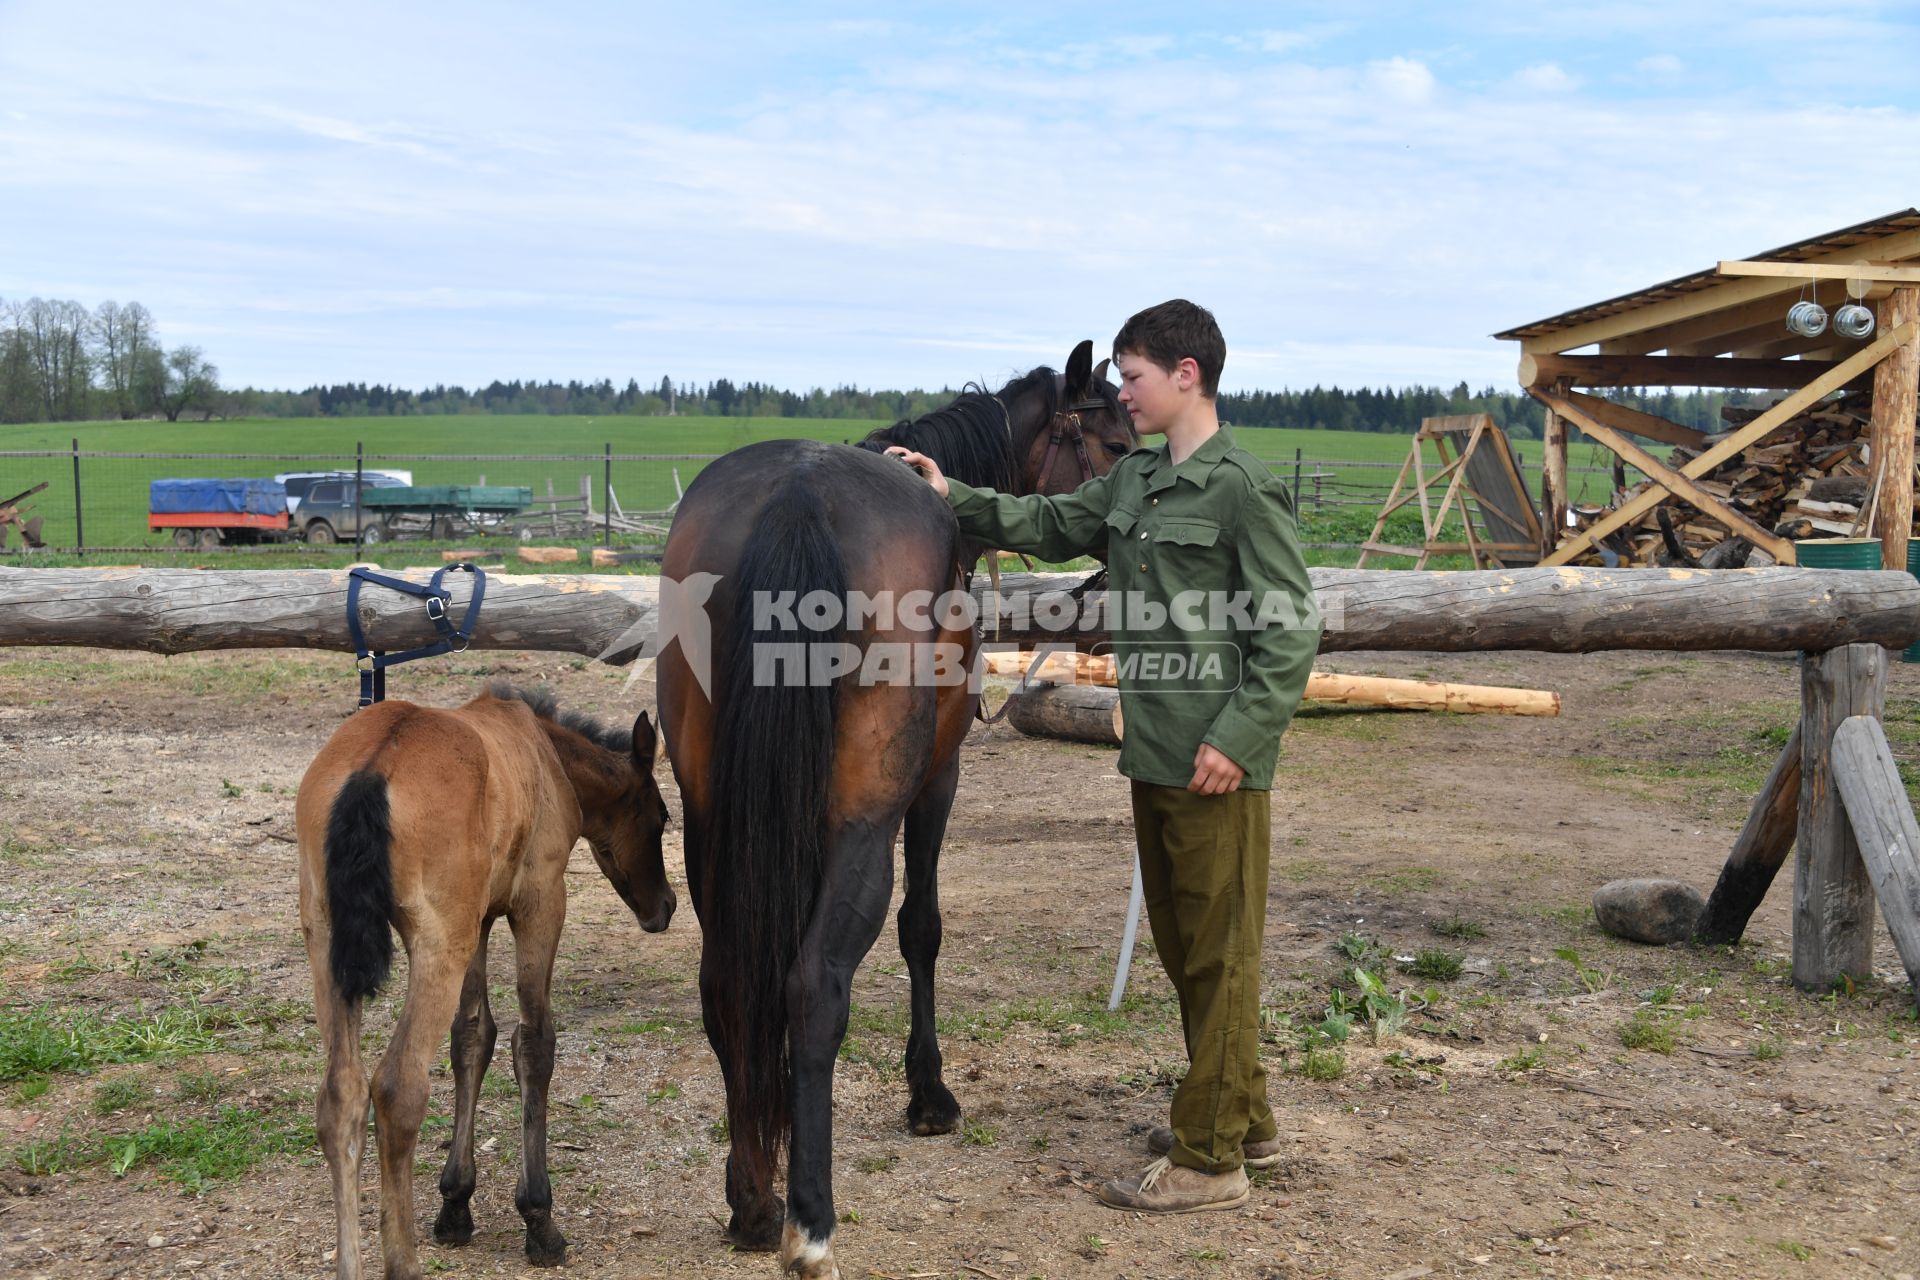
point(930, 1108)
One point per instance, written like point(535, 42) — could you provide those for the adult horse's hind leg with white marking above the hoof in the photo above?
point(850, 914)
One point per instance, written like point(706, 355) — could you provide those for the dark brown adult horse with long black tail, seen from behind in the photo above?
point(800, 763)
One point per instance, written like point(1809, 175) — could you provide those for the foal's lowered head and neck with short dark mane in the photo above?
point(621, 807)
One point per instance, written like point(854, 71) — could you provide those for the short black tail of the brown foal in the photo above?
point(360, 888)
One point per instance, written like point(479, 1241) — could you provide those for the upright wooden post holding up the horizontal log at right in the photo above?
point(1833, 895)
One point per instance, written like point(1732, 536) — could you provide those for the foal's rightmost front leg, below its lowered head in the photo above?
point(537, 937)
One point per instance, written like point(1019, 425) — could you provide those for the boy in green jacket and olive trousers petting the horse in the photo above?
point(1214, 636)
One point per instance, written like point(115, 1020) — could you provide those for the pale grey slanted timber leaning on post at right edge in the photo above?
point(1884, 822)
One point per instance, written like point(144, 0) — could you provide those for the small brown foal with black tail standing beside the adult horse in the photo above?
point(435, 824)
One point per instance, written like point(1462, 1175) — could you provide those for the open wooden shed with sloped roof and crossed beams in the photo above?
point(1725, 327)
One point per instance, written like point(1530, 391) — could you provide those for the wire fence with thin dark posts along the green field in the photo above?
point(99, 500)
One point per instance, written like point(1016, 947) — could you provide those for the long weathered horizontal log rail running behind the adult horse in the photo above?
point(606, 615)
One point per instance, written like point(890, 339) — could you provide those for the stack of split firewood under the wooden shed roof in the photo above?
point(1810, 479)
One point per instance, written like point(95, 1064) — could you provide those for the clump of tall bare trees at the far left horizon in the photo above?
point(64, 364)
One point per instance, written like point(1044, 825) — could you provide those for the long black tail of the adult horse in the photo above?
point(771, 774)
